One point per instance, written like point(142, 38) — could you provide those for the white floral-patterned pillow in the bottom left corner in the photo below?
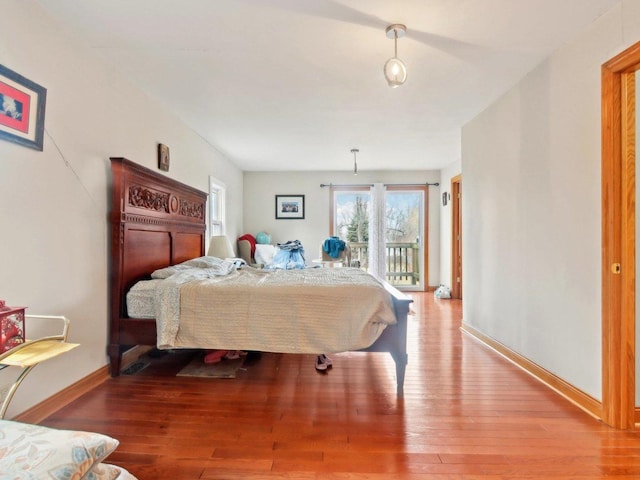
point(32, 451)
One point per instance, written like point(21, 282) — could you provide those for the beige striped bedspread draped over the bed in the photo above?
point(290, 311)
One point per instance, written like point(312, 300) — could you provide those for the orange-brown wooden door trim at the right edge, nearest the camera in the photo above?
point(618, 238)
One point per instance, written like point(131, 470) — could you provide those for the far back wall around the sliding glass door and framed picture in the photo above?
point(260, 189)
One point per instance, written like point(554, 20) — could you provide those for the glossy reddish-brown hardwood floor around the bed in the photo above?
point(467, 414)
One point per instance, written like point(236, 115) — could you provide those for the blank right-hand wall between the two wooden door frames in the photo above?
point(531, 208)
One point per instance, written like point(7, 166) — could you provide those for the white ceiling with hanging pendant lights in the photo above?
point(296, 84)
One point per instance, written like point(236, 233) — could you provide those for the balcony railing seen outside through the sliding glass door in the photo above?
point(402, 261)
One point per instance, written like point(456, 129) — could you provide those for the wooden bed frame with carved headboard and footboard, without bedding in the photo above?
point(156, 222)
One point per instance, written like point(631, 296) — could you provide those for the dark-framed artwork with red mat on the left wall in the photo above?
point(21, 109)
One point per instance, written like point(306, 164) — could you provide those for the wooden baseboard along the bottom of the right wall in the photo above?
point(578, 397)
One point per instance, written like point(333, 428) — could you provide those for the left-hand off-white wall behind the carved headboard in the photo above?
point(54, 204)
